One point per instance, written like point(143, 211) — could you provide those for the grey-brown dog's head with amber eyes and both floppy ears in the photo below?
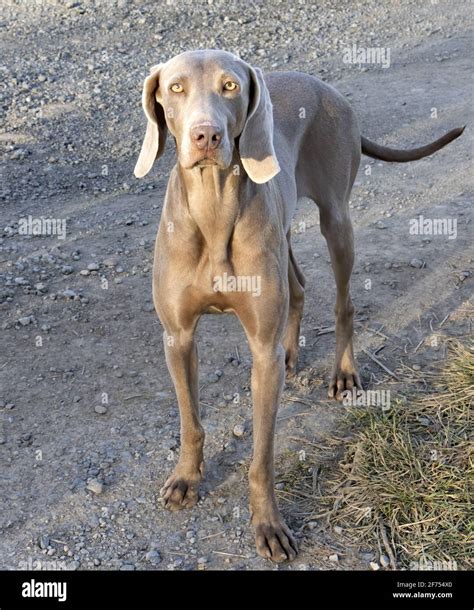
point(211, 102)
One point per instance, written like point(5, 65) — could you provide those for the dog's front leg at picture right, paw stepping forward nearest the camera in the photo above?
point(273, 538)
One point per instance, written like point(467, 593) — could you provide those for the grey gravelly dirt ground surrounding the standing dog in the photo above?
point(89, 424)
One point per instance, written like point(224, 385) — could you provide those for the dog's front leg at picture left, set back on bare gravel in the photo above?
point(181, 488)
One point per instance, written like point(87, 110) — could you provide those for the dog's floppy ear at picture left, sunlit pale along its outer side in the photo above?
point(155, 136)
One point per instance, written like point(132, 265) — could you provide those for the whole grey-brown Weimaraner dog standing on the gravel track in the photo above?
point(248, 147)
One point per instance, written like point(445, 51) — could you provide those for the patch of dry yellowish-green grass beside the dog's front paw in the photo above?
point(403, 479)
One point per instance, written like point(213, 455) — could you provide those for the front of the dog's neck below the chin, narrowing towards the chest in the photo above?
point(213, 198)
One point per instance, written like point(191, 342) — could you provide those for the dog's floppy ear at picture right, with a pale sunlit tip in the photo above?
point(256, 140)
